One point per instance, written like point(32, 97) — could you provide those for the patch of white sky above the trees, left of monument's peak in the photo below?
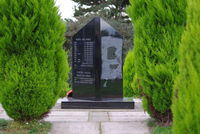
point(66, 8)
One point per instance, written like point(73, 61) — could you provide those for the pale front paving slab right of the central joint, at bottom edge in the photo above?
point(124, 128)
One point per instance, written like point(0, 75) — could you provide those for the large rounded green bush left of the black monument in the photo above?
point(33, 64)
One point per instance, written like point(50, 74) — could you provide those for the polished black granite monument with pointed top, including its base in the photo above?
point(97, 68)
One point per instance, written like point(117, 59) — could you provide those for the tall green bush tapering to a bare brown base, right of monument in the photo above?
point(158, 27)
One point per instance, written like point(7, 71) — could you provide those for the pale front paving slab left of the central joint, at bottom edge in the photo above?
point(76, 128)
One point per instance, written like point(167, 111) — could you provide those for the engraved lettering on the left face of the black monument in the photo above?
point(83, 61)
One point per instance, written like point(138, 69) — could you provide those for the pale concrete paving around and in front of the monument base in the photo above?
point(96, 121)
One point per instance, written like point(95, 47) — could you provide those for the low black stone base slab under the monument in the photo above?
point(71, 103)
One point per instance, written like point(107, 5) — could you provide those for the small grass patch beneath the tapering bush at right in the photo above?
point(156, 129)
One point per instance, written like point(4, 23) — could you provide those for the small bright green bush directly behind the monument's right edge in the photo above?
point(130, 86)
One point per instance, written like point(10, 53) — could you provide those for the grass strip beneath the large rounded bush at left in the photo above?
point(35, 127)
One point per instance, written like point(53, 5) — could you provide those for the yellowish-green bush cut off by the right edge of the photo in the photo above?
point(186, 110)
